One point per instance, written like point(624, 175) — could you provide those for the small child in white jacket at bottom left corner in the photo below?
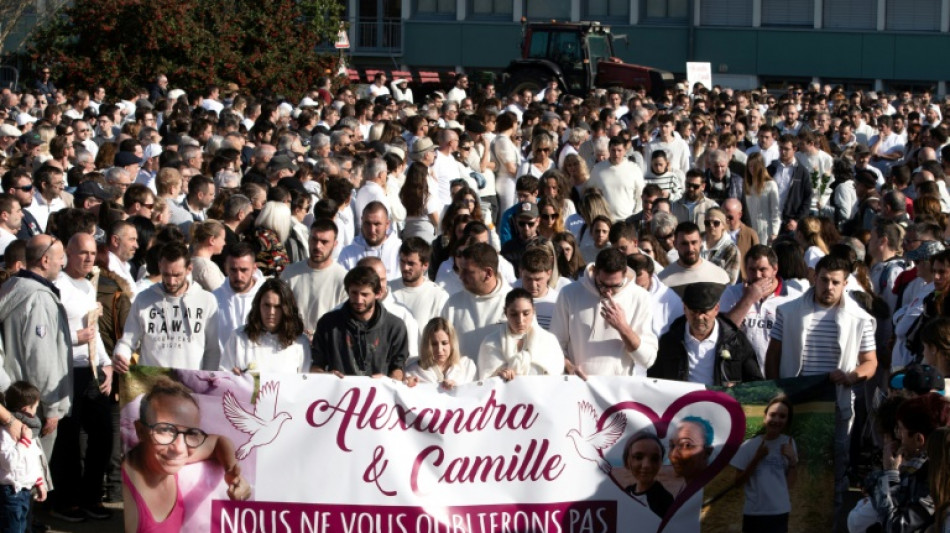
point(22, 463)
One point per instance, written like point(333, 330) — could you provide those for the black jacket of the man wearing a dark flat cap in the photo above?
point(672, 361)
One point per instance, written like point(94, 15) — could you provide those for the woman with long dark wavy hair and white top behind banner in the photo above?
point(273, 338)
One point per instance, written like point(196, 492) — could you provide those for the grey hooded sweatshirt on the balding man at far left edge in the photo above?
point(36, 341)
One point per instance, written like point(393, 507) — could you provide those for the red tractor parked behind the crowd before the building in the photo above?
point(579, 56)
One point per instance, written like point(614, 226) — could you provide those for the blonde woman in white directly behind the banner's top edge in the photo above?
point(439, 359)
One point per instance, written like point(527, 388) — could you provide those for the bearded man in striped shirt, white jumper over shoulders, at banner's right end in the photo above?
point(826, 332)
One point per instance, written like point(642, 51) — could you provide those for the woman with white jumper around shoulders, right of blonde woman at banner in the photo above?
point(519, 347)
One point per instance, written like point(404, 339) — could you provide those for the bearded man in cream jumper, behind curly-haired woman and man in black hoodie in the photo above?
point(317, 282)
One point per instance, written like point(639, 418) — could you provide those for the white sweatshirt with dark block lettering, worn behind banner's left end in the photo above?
point(171, 331)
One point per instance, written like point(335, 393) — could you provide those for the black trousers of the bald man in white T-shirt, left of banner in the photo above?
point(83, 446)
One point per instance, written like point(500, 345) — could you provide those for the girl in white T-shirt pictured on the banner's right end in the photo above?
point(765, 464)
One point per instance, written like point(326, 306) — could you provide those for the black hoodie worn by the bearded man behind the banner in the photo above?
point(357, 348)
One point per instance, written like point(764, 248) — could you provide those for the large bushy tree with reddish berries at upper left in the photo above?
point(124, 44)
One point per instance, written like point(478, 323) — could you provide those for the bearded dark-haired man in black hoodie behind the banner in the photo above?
point(361, 338)
